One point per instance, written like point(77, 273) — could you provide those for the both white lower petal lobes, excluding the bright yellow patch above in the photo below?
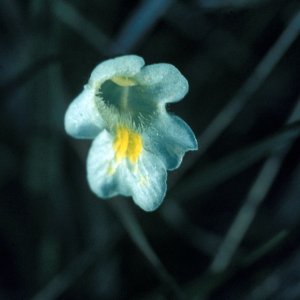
point(145, 181)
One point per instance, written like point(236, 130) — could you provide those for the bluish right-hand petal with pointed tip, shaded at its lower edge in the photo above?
point(169, 137)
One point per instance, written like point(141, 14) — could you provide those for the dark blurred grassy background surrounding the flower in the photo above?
point(229, 226)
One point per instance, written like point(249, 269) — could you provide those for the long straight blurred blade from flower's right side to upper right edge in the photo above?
point(253, 83)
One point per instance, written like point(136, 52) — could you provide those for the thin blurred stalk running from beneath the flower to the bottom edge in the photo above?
point(137, 235)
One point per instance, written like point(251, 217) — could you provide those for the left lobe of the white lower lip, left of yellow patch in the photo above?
point(102, 181)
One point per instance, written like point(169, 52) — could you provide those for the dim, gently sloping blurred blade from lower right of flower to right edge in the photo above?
point(237, 162)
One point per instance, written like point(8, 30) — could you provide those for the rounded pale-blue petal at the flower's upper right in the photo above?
point(163, 82)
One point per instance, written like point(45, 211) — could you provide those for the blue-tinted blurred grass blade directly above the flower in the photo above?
point(139, 24)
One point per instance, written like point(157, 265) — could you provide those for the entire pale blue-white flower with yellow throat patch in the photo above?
point(135, 140)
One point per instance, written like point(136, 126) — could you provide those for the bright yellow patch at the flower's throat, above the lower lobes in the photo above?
point(127, 144)
